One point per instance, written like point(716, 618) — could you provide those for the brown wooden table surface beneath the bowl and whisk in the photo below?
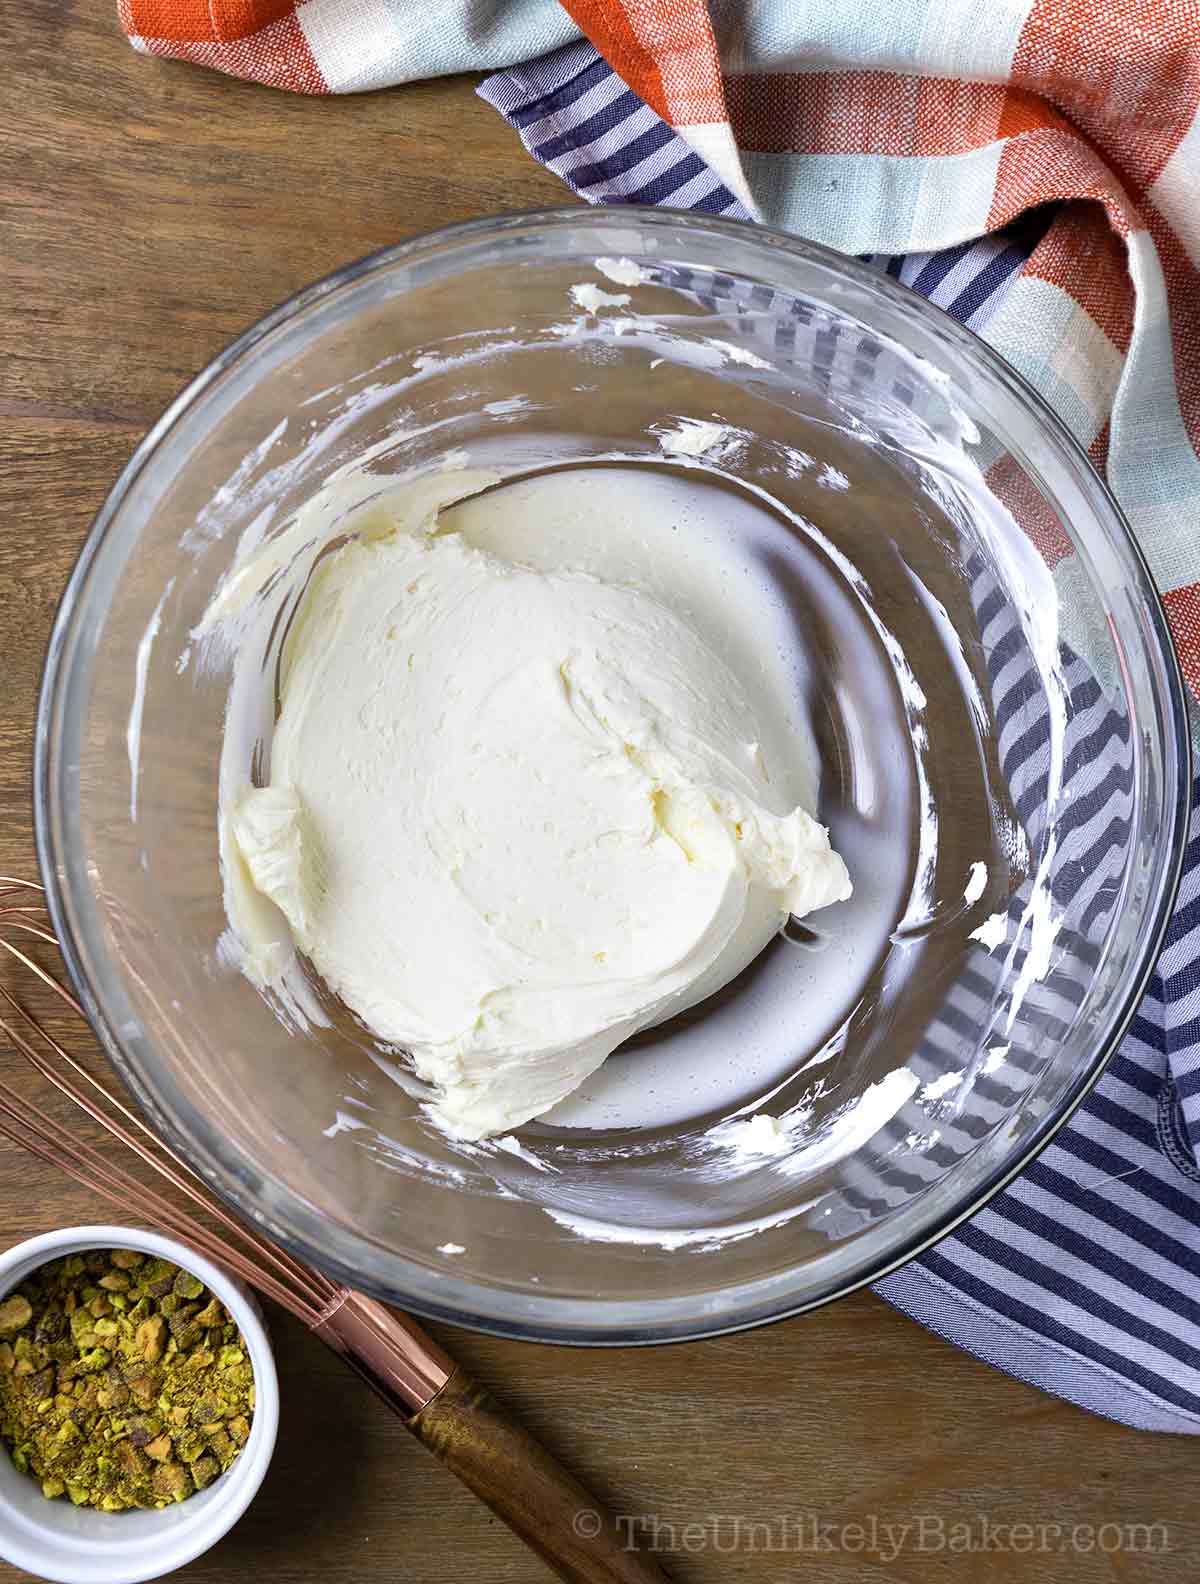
point(151, 211)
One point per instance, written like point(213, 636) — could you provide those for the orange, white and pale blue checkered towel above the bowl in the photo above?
point(881, 126)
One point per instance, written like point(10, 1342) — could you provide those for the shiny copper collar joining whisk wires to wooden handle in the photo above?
point(389, 1350)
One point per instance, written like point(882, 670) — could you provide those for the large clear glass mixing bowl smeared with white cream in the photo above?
point(992, 690)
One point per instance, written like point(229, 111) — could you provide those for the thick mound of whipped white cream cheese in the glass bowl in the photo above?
point(522, 807)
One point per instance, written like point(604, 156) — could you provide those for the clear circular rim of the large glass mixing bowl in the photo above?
point(531, 1317)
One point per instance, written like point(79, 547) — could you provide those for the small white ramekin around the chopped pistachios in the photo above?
point(75, 1545)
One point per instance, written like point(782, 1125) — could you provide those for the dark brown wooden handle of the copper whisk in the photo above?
point(523, 1485)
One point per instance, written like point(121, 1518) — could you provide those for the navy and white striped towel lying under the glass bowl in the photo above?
point(1084, 1276)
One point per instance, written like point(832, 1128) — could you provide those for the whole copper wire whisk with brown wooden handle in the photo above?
point(455, 1418)
